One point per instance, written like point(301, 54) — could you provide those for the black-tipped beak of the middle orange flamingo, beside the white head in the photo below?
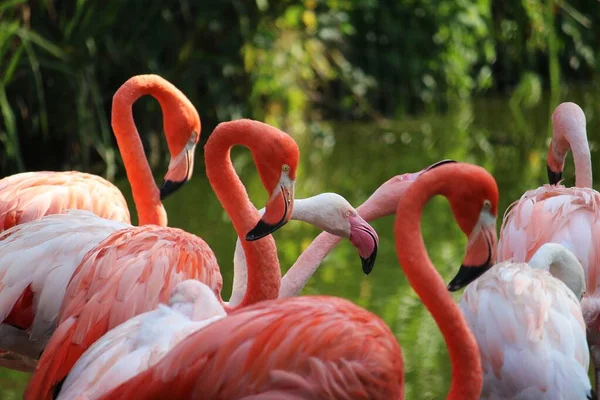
point(278, 210)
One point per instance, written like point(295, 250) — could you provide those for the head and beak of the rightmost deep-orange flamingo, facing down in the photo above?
point(474, 203)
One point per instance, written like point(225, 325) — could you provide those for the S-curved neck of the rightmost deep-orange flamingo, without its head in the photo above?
point(428, 284)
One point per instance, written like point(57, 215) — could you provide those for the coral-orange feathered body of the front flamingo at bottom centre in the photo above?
point(307, 347)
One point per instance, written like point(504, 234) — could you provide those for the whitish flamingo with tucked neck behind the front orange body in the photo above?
point(141, 342)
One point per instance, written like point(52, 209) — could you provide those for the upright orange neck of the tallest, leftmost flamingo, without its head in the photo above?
point(146, 194)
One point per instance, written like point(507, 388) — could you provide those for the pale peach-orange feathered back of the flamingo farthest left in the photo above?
point(31, 195)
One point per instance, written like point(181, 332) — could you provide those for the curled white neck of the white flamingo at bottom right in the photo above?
point(562, 264)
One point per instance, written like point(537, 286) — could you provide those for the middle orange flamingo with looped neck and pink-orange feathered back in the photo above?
point(135, 269)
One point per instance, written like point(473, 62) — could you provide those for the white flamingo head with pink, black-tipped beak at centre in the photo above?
point(332, 213)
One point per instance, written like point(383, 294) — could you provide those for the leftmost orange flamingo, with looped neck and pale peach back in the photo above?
point(29, 196)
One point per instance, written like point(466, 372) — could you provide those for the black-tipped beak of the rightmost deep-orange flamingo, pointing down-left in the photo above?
point(480, 254)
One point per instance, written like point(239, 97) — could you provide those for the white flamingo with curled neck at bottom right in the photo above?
point(529, 327)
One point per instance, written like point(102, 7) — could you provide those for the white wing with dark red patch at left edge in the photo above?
point(37, 260)
